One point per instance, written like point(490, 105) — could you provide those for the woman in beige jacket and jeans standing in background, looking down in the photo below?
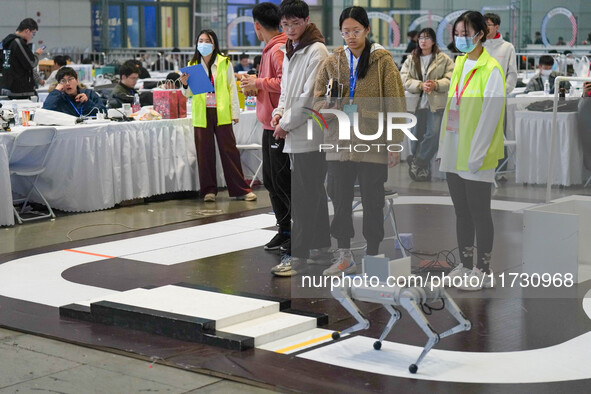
point(426, 72)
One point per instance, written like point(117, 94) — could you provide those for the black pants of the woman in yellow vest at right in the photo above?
point(473, 215)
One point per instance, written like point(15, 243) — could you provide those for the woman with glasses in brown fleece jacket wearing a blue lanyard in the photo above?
point(371, 85)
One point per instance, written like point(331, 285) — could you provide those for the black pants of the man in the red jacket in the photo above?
point(277, 179)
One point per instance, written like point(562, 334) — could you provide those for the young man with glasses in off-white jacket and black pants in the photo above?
point(304, 54)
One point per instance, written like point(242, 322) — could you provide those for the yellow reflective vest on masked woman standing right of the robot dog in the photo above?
point(471, 108)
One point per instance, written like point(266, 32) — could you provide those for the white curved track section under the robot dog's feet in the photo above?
point(570, 360)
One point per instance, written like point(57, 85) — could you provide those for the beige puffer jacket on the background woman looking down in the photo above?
point(440, 70)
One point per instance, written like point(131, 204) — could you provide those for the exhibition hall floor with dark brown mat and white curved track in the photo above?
point(521, 340)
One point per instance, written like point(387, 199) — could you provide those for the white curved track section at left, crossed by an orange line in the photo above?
point(39, 279)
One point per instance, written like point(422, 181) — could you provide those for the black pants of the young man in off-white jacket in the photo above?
point(309, 205)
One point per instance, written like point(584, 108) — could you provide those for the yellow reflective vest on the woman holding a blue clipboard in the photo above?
point(222, 96)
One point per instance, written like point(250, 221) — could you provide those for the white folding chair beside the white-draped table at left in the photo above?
point(27, 160)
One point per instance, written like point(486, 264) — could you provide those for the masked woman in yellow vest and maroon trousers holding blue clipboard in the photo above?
point(213, 115)
